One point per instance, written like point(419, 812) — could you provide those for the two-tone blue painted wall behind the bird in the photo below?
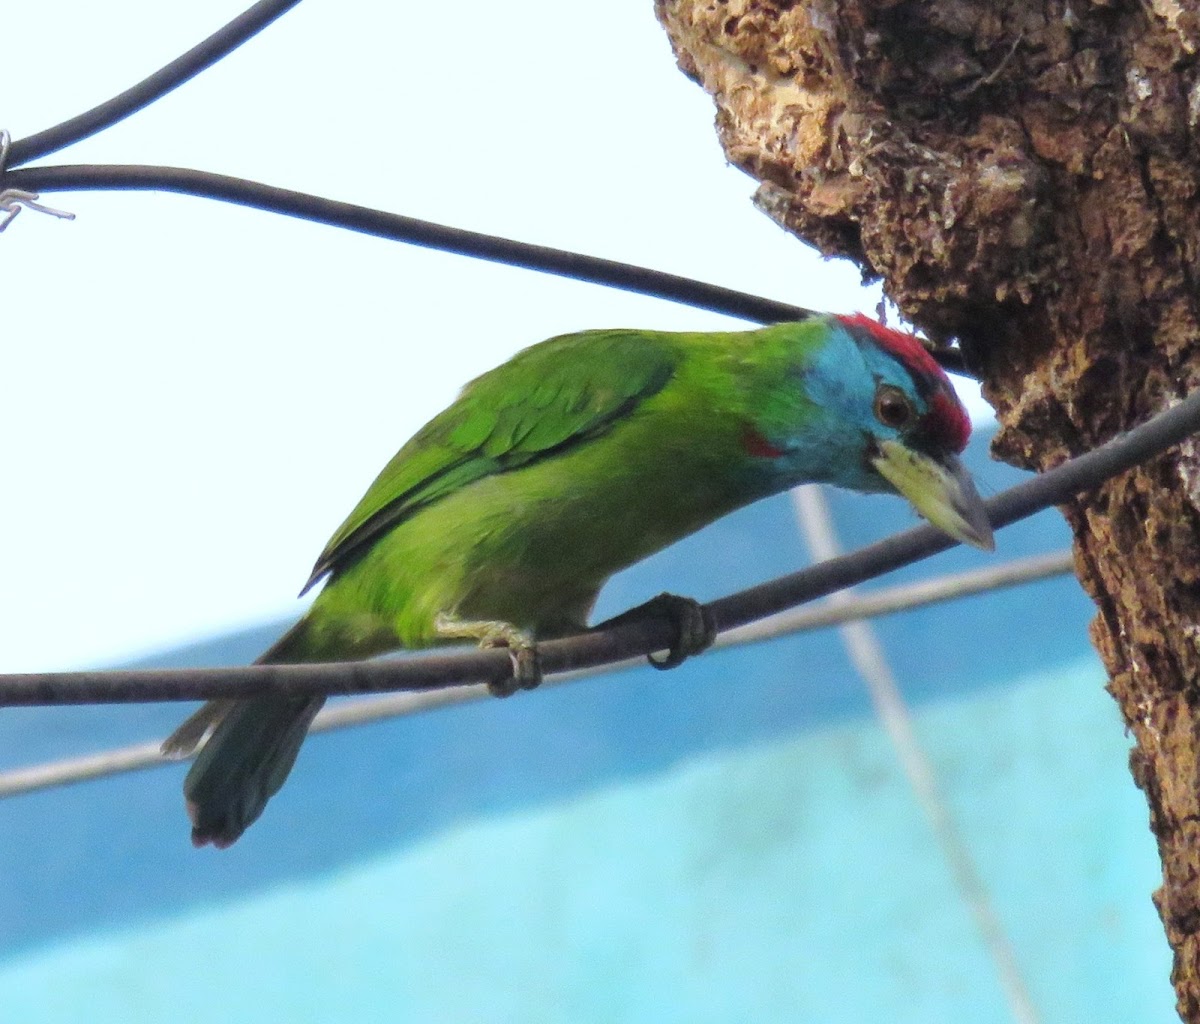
point(729, 842)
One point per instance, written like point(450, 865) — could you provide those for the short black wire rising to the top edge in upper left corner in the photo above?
point(197, 59)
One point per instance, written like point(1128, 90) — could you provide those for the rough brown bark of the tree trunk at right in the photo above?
point(1025, 176)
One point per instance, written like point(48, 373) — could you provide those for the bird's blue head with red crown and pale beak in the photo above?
point(901, 427)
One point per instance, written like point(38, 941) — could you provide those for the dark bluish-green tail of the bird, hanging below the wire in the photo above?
point(251, 750)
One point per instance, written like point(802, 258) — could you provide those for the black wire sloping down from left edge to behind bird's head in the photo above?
point(393, 226)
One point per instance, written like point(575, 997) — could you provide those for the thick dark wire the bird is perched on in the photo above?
point(614, 644)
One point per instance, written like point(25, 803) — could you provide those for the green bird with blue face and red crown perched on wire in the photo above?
point(506, 514)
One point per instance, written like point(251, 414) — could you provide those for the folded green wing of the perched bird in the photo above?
point(544, 400)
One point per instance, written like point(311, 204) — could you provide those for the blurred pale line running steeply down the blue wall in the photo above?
point(869, 660)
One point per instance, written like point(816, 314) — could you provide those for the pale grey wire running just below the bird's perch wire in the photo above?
point(379, 709)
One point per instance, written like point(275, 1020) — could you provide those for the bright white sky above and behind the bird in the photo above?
point(195, 396)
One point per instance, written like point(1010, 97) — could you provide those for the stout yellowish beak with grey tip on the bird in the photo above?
point(941, 490)
